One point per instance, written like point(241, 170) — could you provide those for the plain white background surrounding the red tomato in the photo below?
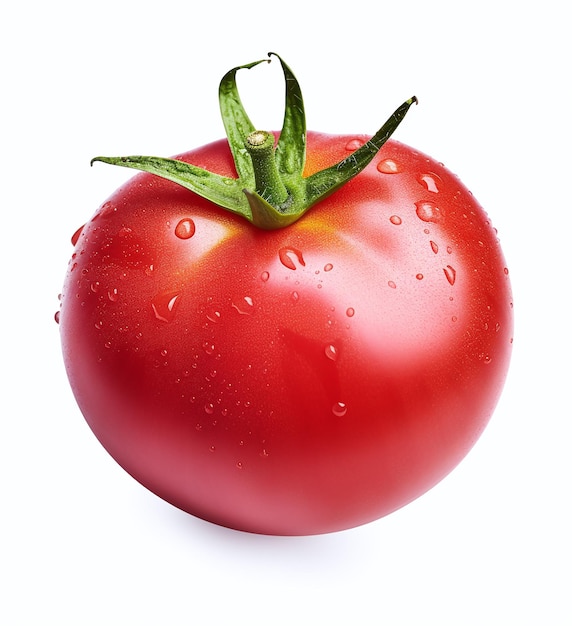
point(80, 541)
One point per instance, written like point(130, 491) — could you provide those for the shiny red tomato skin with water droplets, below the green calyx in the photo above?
point(298, 381)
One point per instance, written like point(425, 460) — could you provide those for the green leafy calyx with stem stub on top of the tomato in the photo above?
point(270, 191)
